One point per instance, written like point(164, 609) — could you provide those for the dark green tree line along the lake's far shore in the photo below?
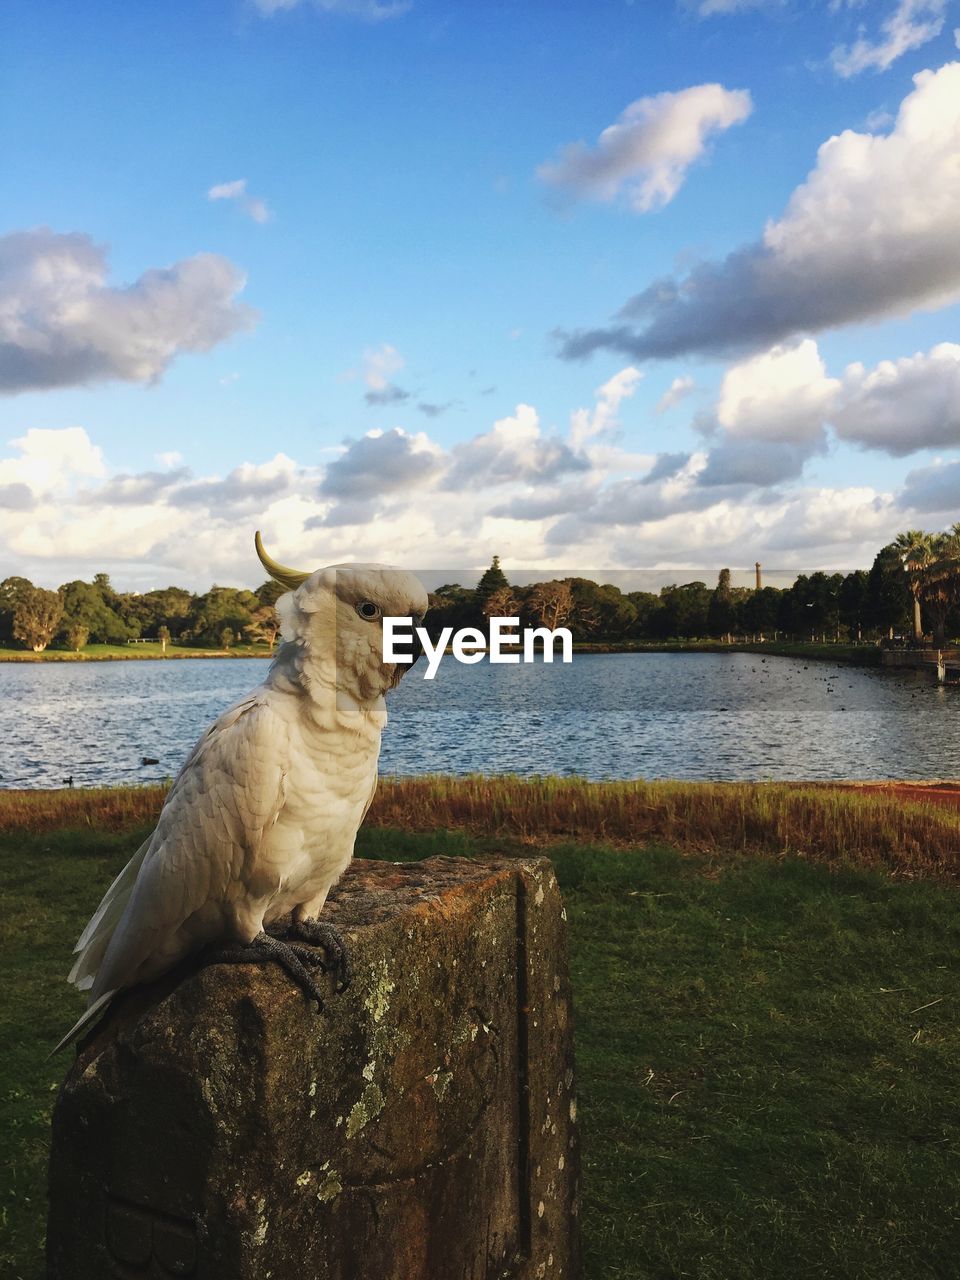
point(912, 589)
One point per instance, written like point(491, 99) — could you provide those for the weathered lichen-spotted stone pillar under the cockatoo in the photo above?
point(422, 1128)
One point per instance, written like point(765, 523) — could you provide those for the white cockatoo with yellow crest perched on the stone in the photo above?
point(263, 817)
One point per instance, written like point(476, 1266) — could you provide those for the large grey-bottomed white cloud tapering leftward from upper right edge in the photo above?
point(874, 232)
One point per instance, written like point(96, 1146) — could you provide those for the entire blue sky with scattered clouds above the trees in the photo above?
point(239, 239)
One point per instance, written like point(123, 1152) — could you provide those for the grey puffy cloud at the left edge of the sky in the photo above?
point(63, 326)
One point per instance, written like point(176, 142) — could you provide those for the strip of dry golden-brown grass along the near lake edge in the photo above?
point(828, 824)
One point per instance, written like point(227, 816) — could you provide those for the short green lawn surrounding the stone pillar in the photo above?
point(767, 1049)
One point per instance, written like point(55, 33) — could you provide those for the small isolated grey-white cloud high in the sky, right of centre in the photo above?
point(648, 152)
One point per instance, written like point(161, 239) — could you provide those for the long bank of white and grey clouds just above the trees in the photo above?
point(538, 497)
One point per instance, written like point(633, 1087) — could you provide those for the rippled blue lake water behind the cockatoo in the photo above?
point(605, 716)
